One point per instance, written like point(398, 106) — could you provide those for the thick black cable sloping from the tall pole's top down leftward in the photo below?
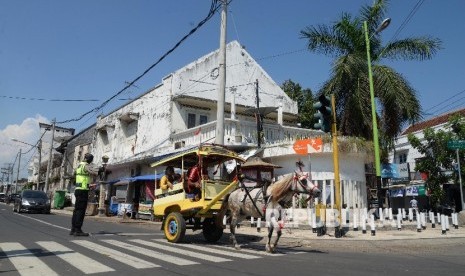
point(213, 9)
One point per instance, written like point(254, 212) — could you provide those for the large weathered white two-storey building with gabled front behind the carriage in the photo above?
point(181, 112)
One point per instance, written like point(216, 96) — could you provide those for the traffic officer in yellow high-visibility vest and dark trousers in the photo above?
point(84, 174)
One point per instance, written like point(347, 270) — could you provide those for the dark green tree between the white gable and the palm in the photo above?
point(304, 99)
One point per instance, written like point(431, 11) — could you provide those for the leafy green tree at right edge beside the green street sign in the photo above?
point(438, 160)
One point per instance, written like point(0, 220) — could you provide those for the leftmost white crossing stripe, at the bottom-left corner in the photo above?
point(25, 261)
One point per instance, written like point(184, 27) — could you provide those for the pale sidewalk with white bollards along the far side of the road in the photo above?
point(387, 232)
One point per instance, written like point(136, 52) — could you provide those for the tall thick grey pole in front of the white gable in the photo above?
point(222, 74)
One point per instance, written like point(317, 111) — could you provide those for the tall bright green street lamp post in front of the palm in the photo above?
point(383, 26)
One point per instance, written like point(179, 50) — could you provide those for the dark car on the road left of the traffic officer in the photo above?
point(32, 201)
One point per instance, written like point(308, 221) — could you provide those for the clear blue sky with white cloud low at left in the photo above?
point(88, 49)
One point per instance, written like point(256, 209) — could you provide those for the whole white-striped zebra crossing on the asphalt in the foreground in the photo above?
point(135, 253)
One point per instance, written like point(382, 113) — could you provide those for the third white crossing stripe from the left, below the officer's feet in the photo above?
point(116, 255)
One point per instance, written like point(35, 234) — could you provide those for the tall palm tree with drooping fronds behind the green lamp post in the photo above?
point(345, 41)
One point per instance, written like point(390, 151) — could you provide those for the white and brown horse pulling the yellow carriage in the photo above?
point(266, 200)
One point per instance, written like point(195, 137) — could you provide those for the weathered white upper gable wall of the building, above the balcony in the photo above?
point(200, 79)
